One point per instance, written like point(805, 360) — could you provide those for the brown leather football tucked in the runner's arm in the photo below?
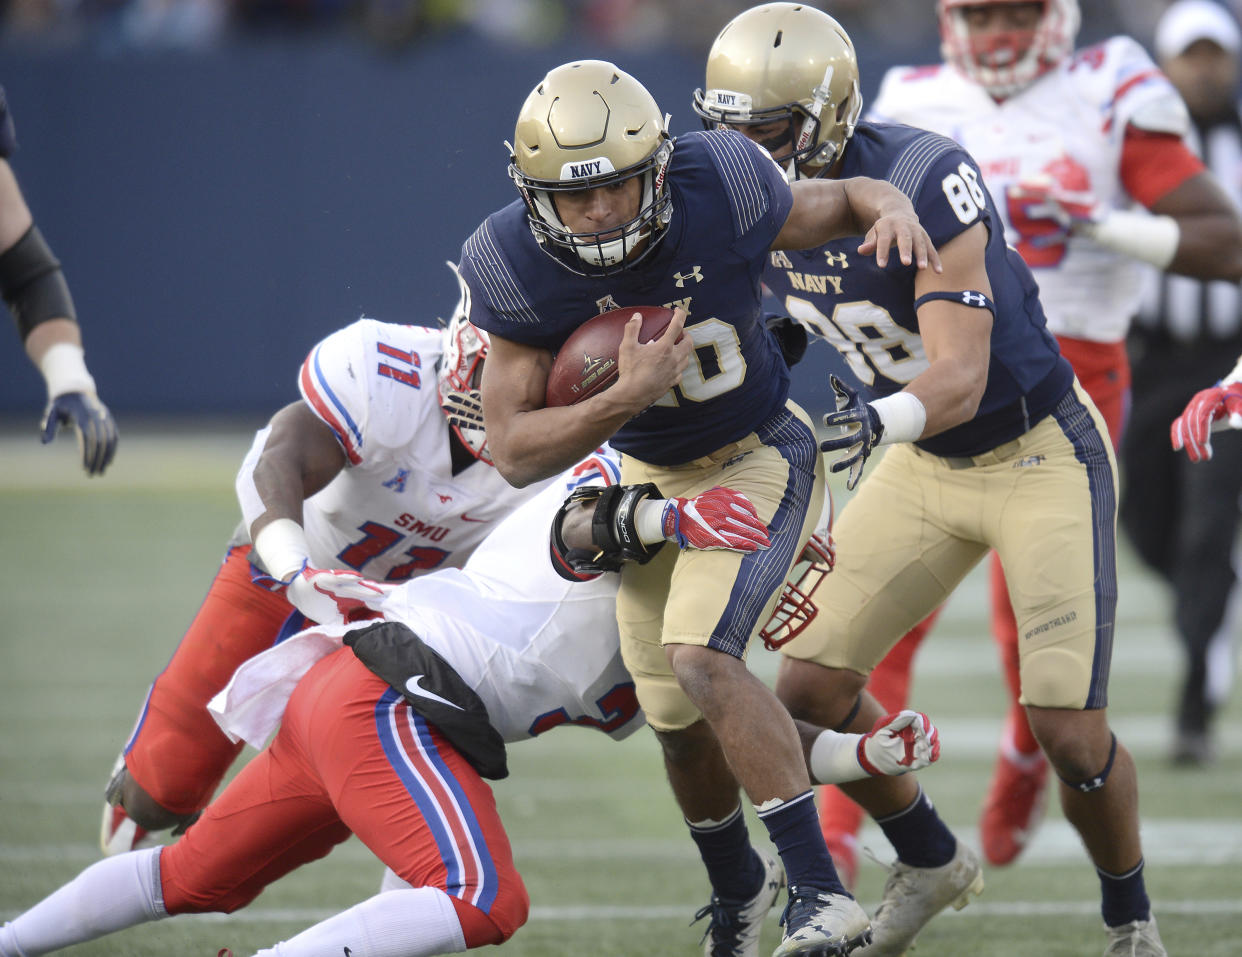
point(587, 364)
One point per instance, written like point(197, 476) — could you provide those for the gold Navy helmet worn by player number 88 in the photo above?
point(792, 63)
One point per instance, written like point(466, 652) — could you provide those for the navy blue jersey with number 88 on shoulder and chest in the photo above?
point(868, 313)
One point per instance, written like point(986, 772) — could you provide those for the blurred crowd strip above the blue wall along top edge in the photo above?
point(124, 27)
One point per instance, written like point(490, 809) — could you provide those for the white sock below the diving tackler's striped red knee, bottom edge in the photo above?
point(415, 923)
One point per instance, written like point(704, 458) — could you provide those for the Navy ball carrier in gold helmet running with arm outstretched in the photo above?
point(614, 213)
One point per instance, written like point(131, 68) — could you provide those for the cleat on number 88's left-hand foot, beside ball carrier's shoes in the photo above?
point(916, 896)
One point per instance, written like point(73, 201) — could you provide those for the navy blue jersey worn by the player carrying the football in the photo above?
point(730, 202)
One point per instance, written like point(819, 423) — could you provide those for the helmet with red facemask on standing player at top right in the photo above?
point(1007, 61)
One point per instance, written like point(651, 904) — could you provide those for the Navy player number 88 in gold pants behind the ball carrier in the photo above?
point(994, 445)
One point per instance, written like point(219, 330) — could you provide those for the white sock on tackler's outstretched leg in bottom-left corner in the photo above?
point(110, 896)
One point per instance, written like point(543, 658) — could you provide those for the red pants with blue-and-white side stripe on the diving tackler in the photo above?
point(352, 758)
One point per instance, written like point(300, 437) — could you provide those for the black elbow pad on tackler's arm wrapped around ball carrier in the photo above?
point(614, 533)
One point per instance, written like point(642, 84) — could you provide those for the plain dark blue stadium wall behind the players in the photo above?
point(218, 214)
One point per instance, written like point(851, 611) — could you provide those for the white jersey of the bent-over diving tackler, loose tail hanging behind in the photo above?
point(540, 651)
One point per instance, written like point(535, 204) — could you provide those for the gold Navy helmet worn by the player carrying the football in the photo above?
point(592, 125)
